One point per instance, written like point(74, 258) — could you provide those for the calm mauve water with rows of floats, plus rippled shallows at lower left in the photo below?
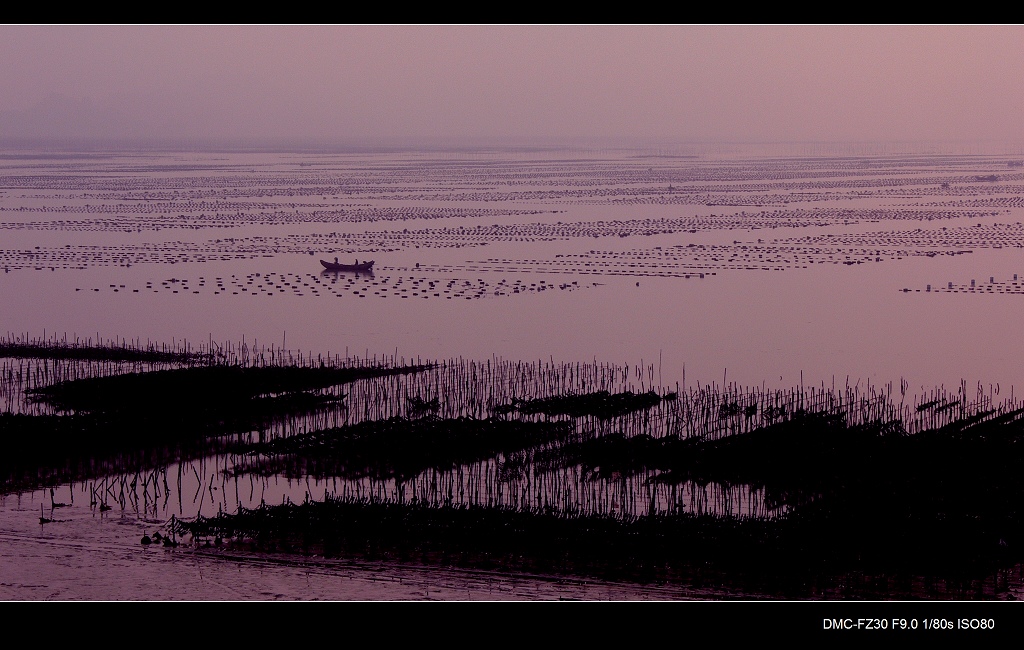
point(764, 272)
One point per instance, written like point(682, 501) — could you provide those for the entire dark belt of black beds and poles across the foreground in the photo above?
point(859, 490)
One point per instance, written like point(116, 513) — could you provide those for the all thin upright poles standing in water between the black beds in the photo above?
point(463, 388)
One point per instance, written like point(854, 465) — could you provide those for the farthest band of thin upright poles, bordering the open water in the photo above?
point(471, 388)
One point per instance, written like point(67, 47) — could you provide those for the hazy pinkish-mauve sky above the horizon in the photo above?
point(678, 82)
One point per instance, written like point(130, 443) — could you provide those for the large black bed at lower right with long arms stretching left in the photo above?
point(867, 500)
